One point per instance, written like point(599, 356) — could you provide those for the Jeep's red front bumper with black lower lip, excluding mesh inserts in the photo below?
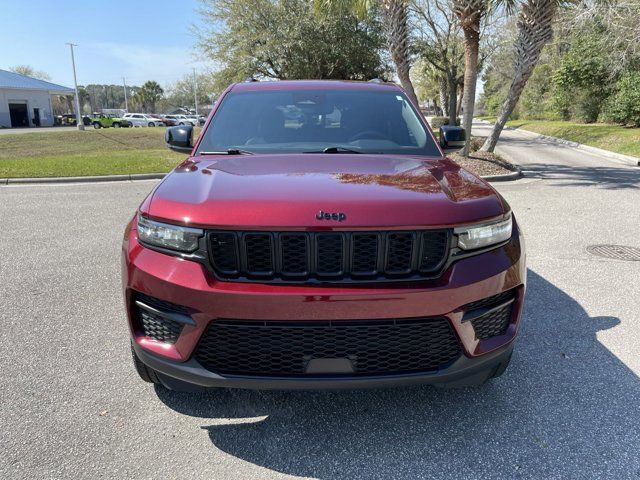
point(190, 285)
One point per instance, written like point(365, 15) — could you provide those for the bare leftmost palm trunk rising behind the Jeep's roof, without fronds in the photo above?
point(395, 21)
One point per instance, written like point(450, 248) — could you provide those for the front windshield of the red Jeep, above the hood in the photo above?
point(315, 120)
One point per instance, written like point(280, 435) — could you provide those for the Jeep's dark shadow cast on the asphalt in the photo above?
point(566, 407)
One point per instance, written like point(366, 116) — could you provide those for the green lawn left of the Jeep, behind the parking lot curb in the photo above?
point(89, 152)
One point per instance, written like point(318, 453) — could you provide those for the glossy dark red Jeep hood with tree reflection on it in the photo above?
point(265, 191)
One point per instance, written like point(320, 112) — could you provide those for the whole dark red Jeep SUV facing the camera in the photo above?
point(317, 237)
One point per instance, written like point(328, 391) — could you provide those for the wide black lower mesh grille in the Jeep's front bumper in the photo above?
point(285, 348)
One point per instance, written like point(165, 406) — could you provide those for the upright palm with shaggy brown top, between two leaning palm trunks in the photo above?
point(470, 14)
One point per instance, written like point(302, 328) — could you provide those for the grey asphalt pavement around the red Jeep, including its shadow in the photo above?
point(71, 405)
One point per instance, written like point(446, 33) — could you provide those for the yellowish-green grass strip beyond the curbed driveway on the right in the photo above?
point(601, 135)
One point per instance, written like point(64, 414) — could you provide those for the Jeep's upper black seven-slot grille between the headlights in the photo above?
point(328, 256)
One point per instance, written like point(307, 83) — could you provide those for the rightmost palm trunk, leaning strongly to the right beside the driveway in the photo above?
point(534, 32)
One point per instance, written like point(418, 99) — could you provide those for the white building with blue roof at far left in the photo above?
point(26, 101)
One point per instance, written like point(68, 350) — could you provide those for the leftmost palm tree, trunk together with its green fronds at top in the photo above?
point(394, 15)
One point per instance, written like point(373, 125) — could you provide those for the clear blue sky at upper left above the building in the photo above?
point(138, 39)
